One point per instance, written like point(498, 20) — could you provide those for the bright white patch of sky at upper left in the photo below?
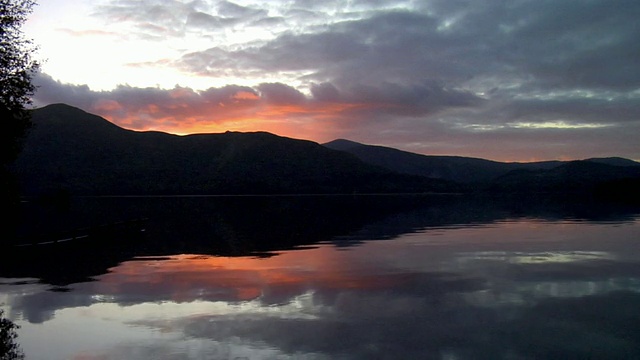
point(108, 43)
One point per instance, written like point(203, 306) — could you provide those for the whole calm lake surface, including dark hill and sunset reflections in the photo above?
point(333, 278)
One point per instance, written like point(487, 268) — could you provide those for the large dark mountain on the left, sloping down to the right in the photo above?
point(71, 151)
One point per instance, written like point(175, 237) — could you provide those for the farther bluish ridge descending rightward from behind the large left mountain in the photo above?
point(454, 168)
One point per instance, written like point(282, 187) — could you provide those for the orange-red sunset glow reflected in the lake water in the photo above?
point(183, 278)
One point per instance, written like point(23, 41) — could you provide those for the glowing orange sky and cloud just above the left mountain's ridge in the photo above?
point(243, 112)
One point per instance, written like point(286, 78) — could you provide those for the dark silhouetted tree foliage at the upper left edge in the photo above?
point(17, 68)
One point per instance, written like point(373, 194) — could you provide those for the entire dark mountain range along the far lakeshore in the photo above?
point(71, 151)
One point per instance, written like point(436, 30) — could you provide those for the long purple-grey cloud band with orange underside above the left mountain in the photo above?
point(269, 106)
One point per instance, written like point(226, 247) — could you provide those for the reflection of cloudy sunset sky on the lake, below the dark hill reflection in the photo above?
point(512, 287)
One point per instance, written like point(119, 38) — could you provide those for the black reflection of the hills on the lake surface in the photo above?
point(250, 225)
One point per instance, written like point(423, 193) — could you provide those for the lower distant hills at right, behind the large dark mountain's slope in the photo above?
point(611, 177)
